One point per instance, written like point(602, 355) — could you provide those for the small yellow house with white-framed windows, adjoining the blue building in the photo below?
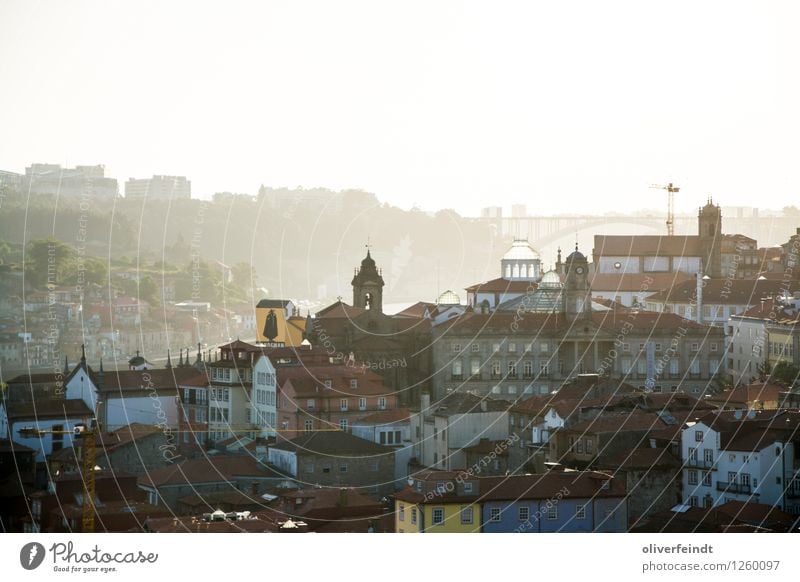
point(438, 502)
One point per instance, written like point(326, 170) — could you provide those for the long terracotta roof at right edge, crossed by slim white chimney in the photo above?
point(724, 291)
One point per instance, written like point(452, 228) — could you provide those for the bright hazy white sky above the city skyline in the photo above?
point(561, 105)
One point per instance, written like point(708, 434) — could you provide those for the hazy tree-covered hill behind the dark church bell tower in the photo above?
point(302, 243)
